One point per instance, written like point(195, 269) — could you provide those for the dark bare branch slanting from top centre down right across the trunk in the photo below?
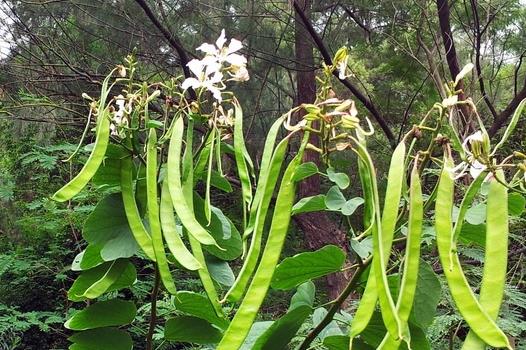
point(366, 101)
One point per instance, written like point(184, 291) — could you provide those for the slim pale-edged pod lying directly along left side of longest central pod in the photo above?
point(238, 288)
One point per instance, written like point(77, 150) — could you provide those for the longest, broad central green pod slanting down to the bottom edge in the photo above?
point(238, 329)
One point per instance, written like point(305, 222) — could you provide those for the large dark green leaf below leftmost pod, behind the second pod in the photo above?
point(107, 227)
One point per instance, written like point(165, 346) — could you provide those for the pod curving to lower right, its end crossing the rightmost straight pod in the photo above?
point(468, 306)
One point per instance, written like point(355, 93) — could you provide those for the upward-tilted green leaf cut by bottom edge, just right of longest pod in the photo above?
point(278, 336)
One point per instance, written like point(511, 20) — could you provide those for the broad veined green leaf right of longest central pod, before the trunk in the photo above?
point(302, 267)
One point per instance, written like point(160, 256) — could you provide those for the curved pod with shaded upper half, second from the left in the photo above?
point(132, 212)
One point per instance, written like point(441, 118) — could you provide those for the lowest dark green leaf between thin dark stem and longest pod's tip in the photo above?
point(189, 329)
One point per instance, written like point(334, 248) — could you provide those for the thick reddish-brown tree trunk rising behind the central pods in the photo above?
point(319, 230)
